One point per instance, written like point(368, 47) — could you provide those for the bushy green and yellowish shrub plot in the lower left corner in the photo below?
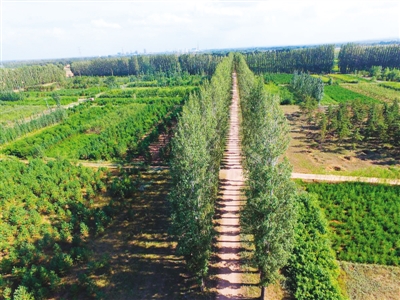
point(47, 212)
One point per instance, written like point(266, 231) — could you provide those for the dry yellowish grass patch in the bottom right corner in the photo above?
point(368, 282)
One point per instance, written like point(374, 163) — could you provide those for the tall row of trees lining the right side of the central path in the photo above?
point(269, 214)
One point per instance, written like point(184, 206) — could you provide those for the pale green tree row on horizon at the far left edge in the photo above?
point(12, 79)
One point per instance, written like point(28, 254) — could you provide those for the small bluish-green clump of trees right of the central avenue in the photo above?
point(308, 86)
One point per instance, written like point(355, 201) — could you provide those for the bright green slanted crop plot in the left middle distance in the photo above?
point(106, 131)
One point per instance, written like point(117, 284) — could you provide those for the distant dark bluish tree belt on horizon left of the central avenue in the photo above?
point(167, 64)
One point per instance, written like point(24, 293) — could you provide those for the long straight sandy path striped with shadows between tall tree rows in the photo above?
point(229, 276)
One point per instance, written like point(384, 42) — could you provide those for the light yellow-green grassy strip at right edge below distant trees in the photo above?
point(373, 90)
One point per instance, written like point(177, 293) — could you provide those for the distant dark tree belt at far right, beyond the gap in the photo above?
point(354, 57)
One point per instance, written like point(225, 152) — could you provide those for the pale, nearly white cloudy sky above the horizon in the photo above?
point(55, 29)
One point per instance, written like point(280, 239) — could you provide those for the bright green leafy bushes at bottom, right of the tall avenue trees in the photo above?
point(312, 271)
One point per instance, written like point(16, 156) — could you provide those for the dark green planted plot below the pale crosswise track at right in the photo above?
point(364, 220)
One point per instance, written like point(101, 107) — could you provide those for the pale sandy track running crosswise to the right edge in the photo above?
point(338, 178)
